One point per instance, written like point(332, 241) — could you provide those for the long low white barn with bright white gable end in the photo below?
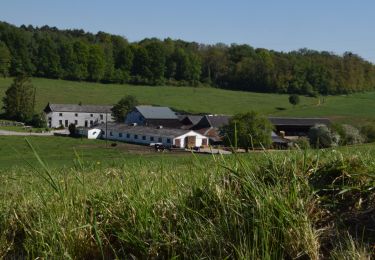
point(146, 135)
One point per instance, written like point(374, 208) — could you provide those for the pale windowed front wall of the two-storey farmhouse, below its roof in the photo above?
point(56, 119)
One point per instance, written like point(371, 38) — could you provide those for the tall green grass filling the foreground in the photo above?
point(268, 206)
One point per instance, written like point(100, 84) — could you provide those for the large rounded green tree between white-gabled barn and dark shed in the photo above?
point(248, 130)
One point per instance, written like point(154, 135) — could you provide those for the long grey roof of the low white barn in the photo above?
point(143, 130)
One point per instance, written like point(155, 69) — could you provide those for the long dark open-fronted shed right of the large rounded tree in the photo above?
point(292, 126)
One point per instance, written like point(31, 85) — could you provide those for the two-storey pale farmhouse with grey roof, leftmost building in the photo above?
point(58, 115)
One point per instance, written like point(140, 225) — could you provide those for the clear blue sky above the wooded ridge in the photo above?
point(283, 25)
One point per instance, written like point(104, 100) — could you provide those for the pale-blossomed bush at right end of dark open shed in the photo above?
point(322, 137)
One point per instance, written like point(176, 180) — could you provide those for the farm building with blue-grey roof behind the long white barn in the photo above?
point(153, 116)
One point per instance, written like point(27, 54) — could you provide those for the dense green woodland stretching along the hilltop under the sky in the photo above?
point(102, 57)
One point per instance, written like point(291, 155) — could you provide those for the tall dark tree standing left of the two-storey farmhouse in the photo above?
point(19, 99)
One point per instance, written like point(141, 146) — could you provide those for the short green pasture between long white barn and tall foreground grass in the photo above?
point(61, 151)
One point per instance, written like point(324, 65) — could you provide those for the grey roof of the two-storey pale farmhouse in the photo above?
point(79, 108)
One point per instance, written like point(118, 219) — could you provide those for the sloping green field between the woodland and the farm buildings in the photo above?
point(356, 108)
